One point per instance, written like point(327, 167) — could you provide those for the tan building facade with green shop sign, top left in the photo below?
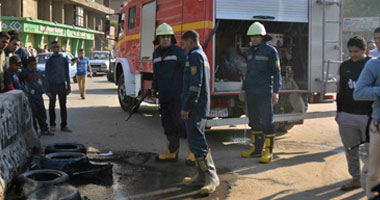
point(75, 24)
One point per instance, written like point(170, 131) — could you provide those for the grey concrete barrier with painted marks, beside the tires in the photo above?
point(17, 136)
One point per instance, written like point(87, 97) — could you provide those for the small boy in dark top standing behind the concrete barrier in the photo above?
point(12, 81)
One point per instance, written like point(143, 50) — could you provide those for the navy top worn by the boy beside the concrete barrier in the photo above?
point(34, 84)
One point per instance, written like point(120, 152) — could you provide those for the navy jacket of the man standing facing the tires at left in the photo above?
point(57, 72)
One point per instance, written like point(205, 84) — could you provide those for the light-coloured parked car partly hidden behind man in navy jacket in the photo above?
point(43, 57)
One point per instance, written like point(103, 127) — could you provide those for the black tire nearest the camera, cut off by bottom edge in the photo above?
point(63, 192)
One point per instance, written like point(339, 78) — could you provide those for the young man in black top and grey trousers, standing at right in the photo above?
point(352, 116)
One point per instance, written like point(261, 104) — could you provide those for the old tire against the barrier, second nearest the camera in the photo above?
point(30, 181)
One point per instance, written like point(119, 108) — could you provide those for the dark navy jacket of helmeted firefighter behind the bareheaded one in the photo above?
point(168, 66)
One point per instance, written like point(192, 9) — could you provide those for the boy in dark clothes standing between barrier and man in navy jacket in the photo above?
point(35, 88)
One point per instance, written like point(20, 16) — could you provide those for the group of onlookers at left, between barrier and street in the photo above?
point(18, 71)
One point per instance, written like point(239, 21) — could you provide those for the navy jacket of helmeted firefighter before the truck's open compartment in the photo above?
point(263, 70)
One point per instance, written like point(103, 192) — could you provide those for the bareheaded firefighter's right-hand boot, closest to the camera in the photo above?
point(207, 166)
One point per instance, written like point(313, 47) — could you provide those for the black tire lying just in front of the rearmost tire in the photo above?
point(60, 160)
